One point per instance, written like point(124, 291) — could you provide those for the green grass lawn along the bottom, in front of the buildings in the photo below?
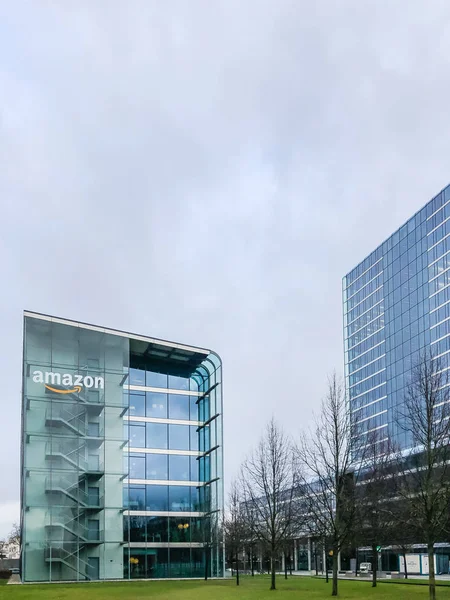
point(256, 588)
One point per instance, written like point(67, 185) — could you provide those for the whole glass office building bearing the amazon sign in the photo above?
point(122, 455)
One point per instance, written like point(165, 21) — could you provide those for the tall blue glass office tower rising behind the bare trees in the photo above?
point(396, 305)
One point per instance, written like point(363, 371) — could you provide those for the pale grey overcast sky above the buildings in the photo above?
point(206, 171)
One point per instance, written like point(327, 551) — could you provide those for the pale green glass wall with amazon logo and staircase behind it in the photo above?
point(72, 448)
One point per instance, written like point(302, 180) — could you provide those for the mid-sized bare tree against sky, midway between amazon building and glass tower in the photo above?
point(268, 482)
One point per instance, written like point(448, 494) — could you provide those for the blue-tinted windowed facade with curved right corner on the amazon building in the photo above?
point(173, 497)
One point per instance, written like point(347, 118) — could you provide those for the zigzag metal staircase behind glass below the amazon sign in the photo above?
point(75, 461)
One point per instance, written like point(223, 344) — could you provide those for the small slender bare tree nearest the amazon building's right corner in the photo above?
point(235, 526)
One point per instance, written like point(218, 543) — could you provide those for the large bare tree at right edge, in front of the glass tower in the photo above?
point(424, 469)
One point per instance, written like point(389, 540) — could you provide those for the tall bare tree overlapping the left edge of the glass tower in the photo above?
point(327, 457)
